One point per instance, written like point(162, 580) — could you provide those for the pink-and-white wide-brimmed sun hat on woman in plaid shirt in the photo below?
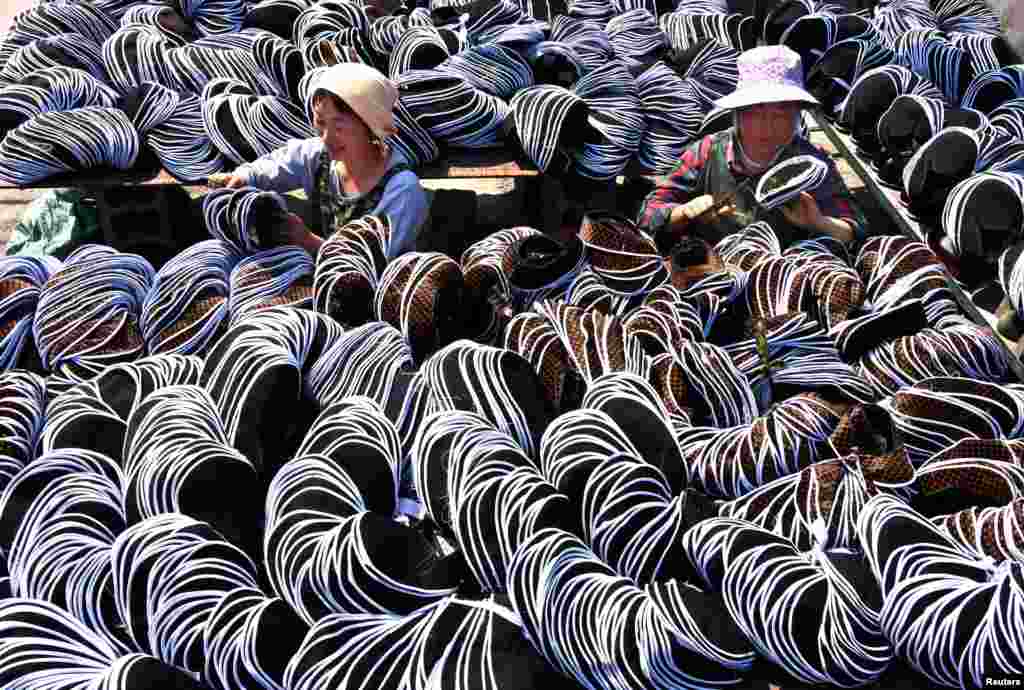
point(769, 75)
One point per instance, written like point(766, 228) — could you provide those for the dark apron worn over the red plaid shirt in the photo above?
point(719, 182)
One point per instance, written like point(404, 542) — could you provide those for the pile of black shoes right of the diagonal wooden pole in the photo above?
point(932, 96)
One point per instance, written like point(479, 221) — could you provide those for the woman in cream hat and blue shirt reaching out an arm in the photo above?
point(349, 170)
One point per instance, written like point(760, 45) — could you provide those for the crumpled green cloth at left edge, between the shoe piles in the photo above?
point(55, 225)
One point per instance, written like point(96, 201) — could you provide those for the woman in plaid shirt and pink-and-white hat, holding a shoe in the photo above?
point(767, 107)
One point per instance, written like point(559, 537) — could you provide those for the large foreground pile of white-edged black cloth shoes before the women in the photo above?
point(577, 465)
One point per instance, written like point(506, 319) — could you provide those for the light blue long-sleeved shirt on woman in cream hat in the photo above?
point(294, 167)
